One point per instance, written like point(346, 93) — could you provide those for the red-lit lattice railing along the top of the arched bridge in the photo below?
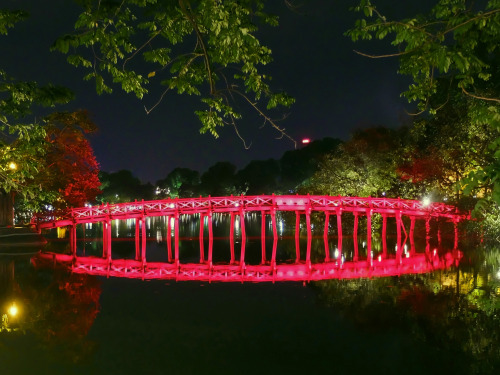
point(251, 203)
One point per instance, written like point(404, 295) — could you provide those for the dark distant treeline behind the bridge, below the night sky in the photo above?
point(283, 176)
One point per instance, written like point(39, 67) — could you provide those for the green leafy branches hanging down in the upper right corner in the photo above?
point(452, 55)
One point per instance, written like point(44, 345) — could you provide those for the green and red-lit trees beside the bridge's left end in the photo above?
point(42, 161)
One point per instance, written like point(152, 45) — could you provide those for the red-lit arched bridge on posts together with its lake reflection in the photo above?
point(268, 270)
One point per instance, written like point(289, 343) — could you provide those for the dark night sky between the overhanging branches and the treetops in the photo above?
point(336, 90)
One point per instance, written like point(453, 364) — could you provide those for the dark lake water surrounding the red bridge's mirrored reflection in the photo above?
point(441, 322)
